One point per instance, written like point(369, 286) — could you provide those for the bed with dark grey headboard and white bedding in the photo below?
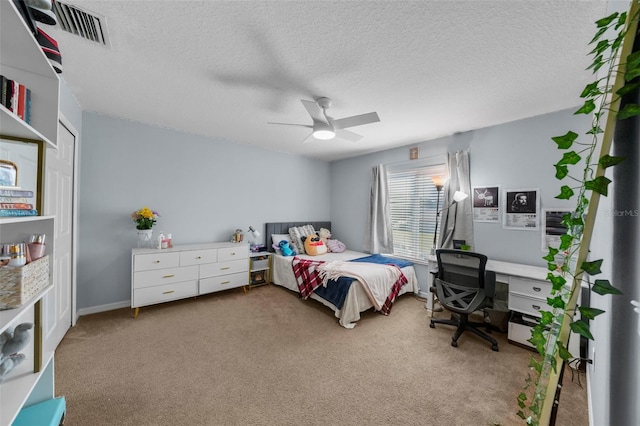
point(357, 298)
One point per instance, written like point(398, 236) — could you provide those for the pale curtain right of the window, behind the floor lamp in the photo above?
point(456, 222)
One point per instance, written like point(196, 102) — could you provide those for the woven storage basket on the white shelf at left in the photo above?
point(19, 285)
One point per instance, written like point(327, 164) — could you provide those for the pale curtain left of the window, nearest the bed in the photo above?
point(380, 233)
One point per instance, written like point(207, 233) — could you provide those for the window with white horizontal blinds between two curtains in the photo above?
point(412, 203)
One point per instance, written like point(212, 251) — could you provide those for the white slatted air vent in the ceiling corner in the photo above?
point(81, 23)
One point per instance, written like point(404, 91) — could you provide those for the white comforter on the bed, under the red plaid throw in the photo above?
point(357, 299)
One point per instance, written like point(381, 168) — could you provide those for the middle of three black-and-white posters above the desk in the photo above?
point(522, 209)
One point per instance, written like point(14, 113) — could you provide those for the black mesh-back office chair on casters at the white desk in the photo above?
point(463, 286)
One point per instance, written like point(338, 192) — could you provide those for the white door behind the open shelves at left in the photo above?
point(60, 201)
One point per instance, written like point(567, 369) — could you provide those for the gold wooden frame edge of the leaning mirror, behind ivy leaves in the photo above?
point(607, 139)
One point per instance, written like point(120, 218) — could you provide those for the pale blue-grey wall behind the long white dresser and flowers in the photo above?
point(203, 189)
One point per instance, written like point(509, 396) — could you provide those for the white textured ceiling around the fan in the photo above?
point(225, 68)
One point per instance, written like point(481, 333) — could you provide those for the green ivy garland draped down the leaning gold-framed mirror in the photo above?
point(612, 58)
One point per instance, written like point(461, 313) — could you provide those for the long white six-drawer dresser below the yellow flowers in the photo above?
point(164, 275)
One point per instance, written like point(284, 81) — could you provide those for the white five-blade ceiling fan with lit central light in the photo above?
point(325, 127)
